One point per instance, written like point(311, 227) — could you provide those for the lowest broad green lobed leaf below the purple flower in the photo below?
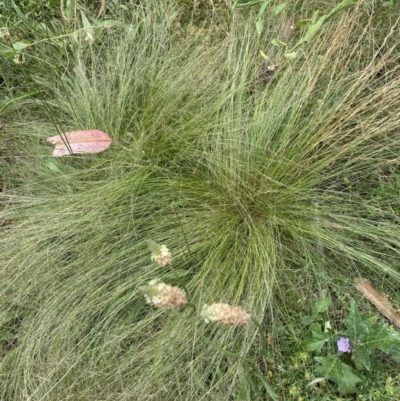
point(335, 370)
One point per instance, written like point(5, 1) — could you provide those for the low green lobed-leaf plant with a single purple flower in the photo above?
point(344, 354)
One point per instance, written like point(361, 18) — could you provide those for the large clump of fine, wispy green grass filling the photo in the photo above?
point(248, 186)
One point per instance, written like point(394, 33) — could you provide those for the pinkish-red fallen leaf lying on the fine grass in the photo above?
point(88, 141)
